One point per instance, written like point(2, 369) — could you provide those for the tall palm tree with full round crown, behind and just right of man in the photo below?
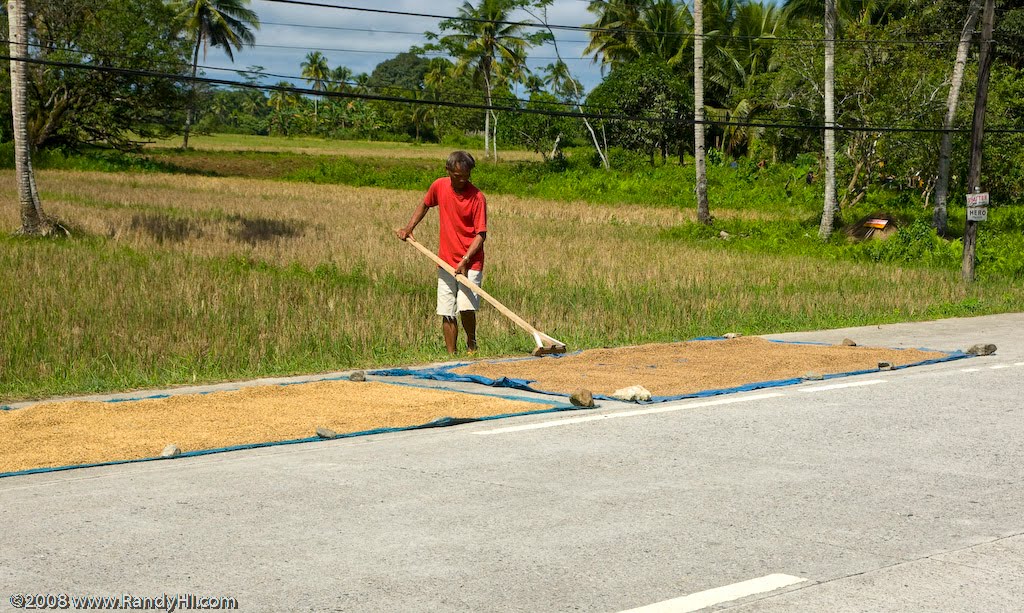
point(486, 42)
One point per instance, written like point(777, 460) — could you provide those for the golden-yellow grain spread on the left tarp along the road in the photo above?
point(72, 433)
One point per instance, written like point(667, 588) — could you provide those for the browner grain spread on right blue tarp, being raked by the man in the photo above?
point(678, 369)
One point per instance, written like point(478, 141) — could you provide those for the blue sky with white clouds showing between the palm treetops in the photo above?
point(285, 37)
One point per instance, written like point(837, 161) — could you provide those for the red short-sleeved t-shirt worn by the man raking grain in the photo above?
point(462, 217)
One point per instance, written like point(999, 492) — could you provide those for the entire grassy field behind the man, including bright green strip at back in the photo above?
point(175, 279)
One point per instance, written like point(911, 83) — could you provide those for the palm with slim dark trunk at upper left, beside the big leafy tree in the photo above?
point(225, 24)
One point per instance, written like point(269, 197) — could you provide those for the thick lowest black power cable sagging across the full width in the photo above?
point(457, 105)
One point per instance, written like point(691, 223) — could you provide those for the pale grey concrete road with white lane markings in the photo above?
point(895, 492)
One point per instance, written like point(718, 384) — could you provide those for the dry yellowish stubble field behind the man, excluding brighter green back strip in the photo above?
point(176, 279)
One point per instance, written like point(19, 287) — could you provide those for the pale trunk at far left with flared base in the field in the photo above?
point(33, 221)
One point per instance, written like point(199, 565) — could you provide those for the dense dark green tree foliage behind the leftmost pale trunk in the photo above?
point(73, 107)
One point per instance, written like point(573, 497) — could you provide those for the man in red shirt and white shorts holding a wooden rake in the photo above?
point(462, 213)
